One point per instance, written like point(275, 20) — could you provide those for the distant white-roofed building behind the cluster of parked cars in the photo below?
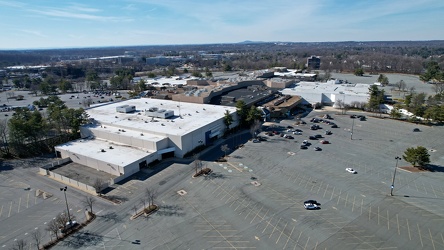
point(328, 93)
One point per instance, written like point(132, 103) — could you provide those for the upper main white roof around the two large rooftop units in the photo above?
point(192, 116)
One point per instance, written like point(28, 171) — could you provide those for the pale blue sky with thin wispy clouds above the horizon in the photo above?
point(92, 23)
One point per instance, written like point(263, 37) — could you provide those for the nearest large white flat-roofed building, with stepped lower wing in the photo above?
point(125, 136)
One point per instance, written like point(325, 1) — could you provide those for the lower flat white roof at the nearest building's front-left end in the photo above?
point(120, 155)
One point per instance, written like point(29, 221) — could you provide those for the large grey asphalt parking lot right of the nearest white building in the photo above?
point(255, 200)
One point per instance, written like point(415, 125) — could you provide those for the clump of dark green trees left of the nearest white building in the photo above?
point(30, 132)
